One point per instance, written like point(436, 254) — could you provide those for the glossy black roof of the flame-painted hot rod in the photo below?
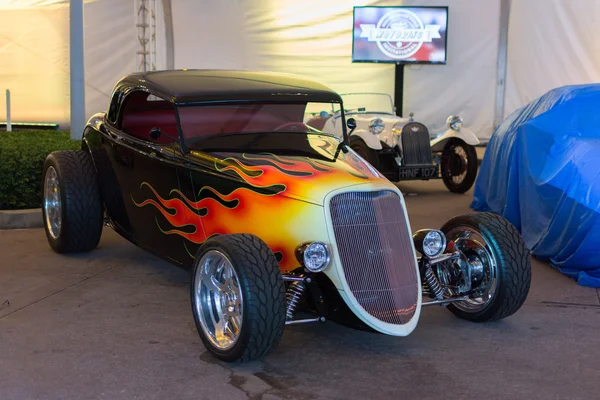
point(201, 86)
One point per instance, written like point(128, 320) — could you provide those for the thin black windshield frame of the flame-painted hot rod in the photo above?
point(186, 143)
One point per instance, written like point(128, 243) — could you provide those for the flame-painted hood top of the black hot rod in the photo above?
point(308, 172)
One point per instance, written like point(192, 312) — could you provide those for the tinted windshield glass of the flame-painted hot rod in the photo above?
point(199, 122)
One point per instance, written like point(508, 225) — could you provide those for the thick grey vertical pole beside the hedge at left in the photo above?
point(77, 68)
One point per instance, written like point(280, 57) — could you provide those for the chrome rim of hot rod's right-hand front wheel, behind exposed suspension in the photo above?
point(475, 247)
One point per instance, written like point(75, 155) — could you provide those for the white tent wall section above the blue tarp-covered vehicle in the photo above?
point(551, 43)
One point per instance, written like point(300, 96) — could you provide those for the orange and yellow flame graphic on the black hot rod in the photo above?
point(267, 206)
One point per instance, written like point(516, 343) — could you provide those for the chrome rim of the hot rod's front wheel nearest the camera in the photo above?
point(218, 300)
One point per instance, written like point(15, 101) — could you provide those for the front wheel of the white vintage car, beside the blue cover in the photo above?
point(459, 166)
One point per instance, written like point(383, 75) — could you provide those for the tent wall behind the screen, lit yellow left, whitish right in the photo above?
point(314, 39)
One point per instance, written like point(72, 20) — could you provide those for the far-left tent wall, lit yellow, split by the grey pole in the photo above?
point(34, 55)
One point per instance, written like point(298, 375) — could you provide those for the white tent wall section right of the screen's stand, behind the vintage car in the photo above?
point(466, 85)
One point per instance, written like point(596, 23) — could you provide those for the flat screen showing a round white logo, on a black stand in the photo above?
point(404, 35)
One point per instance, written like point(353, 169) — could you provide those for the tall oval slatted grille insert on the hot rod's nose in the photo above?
point(375, 249)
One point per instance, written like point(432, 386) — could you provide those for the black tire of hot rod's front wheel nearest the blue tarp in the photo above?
point(512, 271)
